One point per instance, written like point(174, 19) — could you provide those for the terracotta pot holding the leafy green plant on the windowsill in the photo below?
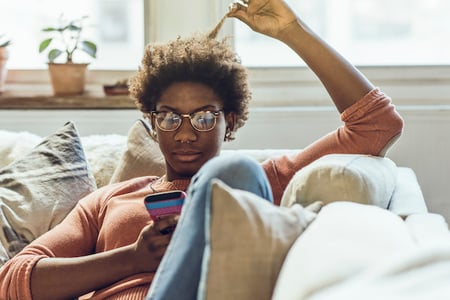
point(67, 79)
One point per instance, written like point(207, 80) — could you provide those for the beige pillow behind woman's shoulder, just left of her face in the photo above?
point(142, 156)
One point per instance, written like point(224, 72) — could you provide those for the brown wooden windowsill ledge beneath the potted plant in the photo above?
point(41, 97)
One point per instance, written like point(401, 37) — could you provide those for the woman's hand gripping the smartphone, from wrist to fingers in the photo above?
point(152, 243)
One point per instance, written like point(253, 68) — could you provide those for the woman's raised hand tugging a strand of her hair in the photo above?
point(269, 17)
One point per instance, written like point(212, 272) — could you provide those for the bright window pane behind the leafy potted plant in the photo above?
point(116, 26)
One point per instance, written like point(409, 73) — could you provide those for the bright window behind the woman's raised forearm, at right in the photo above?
point(368, 32)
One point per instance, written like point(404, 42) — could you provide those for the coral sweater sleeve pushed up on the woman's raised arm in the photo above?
point(371, 126)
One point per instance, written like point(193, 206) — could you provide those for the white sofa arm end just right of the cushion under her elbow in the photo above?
point(407, 197)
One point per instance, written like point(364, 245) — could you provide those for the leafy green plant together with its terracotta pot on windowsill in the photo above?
point(67, 77)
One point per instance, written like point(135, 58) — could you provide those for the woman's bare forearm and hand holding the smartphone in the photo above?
point(58, 278)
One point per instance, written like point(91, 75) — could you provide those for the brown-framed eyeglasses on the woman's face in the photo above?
point(203, 120)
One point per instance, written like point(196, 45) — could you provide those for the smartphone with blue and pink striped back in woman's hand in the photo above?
point(165, 203)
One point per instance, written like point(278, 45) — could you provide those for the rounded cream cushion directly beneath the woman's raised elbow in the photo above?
point(343, 177)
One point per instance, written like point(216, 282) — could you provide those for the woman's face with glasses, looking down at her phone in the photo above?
point(186, 149)
